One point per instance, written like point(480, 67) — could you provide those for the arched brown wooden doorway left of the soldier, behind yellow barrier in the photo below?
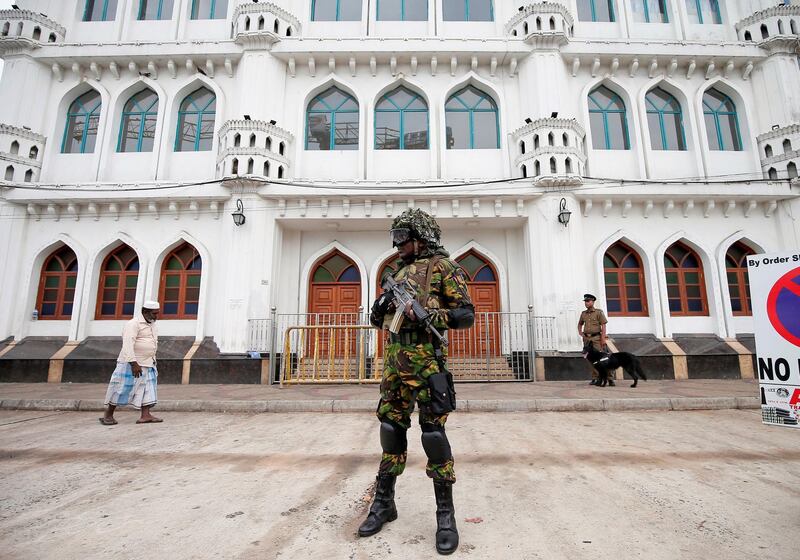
point(334, 298)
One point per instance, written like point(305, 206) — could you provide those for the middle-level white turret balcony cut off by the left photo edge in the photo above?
point(21, 154)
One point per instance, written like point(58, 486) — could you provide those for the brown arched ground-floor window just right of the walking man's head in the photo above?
point(179, 291)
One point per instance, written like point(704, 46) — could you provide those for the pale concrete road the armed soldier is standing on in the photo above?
point(616, 485)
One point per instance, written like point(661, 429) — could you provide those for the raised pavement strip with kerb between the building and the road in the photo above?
point(483, 397)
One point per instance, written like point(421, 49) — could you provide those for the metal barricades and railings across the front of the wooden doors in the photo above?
point(344, 348)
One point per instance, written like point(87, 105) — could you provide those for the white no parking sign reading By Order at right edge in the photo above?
point(775, 293)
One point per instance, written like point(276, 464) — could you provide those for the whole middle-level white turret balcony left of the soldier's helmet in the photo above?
point(248, 147)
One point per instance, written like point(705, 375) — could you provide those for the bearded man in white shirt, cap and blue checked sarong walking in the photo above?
point(135, 378)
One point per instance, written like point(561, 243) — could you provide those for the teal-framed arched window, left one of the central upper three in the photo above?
point(332, 121)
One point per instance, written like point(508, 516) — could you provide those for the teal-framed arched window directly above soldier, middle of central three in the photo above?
point(401, 121)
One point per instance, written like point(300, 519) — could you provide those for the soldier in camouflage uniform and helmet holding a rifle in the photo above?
point(410, 361)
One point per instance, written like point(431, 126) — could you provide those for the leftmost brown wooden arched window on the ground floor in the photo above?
point(57, 285)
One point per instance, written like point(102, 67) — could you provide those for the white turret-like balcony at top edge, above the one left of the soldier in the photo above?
point(258, 25)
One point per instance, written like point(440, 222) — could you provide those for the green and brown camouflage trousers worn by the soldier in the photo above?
point(406, 370)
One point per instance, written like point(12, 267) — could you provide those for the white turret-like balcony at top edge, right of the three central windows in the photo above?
point(543, 25)
